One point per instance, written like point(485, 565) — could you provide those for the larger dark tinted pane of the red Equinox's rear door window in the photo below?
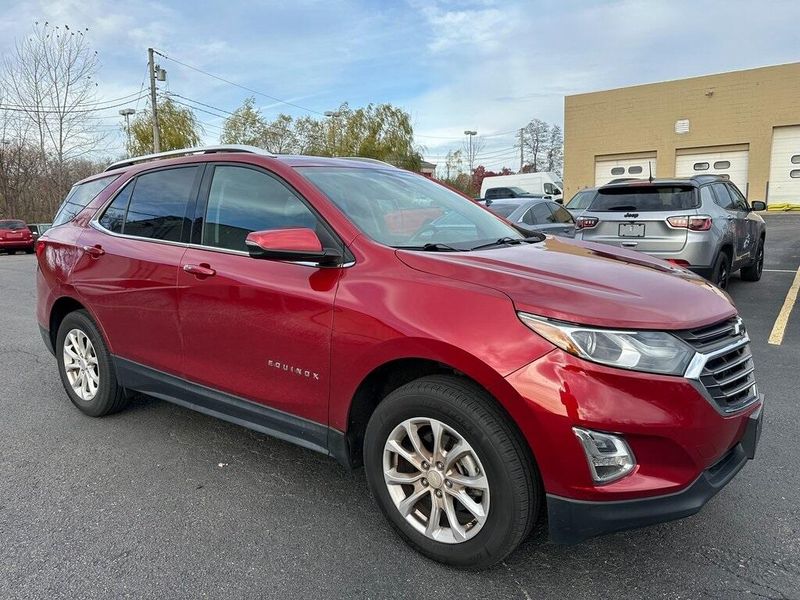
point(157, 208)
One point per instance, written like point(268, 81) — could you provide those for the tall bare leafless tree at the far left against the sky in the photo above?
point(49, 77)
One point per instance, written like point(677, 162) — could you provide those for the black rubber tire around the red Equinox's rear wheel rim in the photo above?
point(109, 397)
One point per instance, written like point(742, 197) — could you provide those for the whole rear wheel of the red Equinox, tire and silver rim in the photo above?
point(85, 366)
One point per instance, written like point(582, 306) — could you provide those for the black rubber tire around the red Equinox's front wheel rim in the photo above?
point(515, 490)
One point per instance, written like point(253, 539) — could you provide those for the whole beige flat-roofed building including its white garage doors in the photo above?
point(744, 125)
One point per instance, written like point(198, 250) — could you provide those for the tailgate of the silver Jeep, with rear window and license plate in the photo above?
point(635, 216)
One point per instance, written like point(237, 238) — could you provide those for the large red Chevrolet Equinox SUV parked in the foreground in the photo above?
point(484, 379)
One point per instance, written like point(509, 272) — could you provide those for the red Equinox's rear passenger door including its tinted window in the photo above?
point(128, 273)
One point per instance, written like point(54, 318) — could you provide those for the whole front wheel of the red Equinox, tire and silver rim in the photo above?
point(450, 472)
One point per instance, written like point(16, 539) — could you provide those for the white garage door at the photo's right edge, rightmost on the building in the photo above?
point(784, 168)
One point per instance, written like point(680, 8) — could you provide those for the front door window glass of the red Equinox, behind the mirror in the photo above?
point(242, 200)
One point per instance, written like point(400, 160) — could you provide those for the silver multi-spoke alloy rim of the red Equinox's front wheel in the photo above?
point(436, 480)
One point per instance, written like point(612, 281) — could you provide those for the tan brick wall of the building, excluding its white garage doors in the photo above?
point(728, 109)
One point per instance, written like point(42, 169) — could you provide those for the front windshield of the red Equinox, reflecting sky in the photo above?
point(404, 210)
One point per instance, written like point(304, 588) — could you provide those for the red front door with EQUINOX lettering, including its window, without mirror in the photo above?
point(253, 328)
